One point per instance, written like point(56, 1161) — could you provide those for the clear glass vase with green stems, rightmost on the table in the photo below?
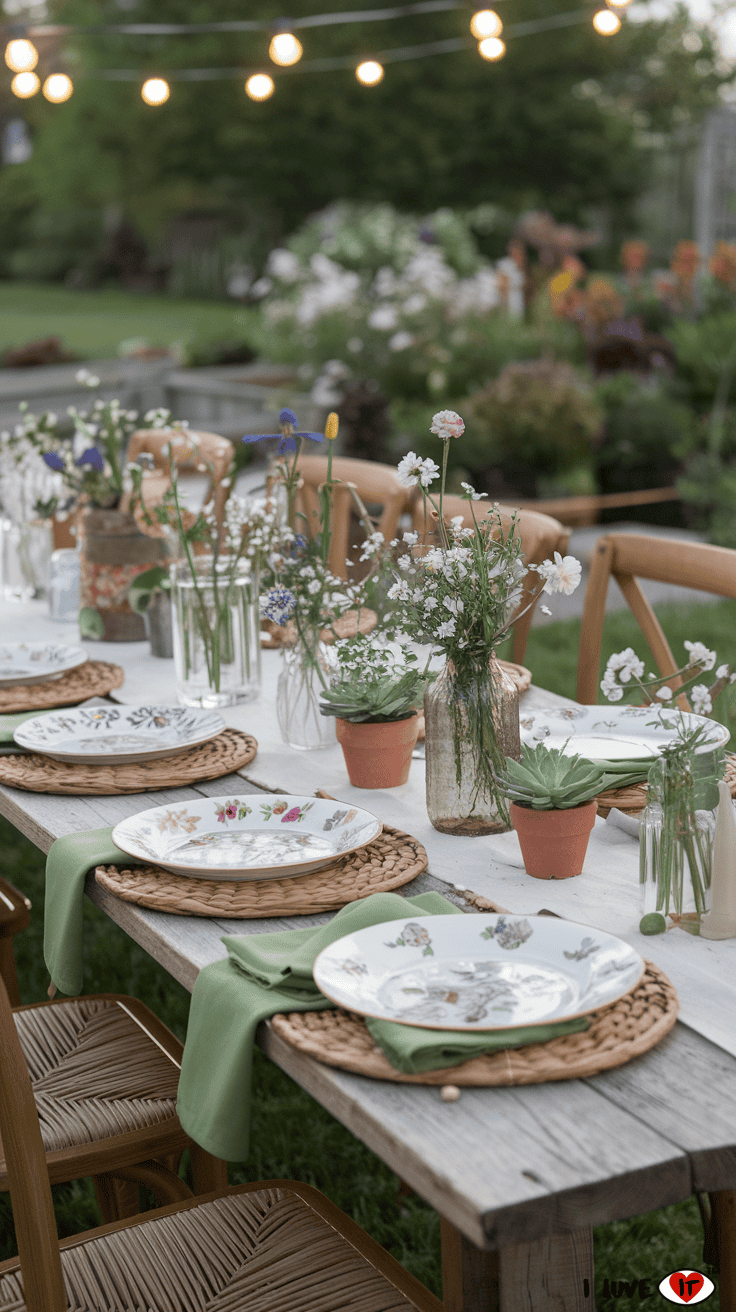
point(676, 839)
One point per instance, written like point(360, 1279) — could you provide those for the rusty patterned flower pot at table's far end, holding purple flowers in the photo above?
point(113, 553)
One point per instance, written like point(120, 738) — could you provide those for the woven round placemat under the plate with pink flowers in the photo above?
point(390, 861)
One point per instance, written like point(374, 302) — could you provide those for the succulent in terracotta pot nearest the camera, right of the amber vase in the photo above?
point(553, 809)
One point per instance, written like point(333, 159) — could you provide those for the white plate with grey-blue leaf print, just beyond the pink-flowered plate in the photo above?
point(119, 735)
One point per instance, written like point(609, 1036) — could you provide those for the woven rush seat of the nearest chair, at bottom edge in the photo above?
point(266, 1251)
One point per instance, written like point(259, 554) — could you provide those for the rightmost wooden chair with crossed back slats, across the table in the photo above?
point(629, 557)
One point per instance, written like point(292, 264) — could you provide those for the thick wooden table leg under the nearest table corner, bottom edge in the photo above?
point(554, 1273)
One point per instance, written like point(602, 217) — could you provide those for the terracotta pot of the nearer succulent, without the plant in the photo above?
point(554, 843)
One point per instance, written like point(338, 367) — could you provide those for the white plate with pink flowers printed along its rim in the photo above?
point(260, 836)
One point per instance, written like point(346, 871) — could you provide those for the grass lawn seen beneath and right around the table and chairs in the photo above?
point(292, 1136)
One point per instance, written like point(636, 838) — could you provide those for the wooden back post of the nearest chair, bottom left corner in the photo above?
point(28, 1178)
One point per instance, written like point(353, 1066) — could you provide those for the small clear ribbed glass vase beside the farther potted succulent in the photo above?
point(301, 683)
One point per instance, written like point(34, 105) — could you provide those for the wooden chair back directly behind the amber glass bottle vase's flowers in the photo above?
point(540, 536)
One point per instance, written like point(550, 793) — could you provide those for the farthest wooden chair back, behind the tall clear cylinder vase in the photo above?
point(209, 451)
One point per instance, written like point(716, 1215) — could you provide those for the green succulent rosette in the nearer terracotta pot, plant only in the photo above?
point(549, 780)
